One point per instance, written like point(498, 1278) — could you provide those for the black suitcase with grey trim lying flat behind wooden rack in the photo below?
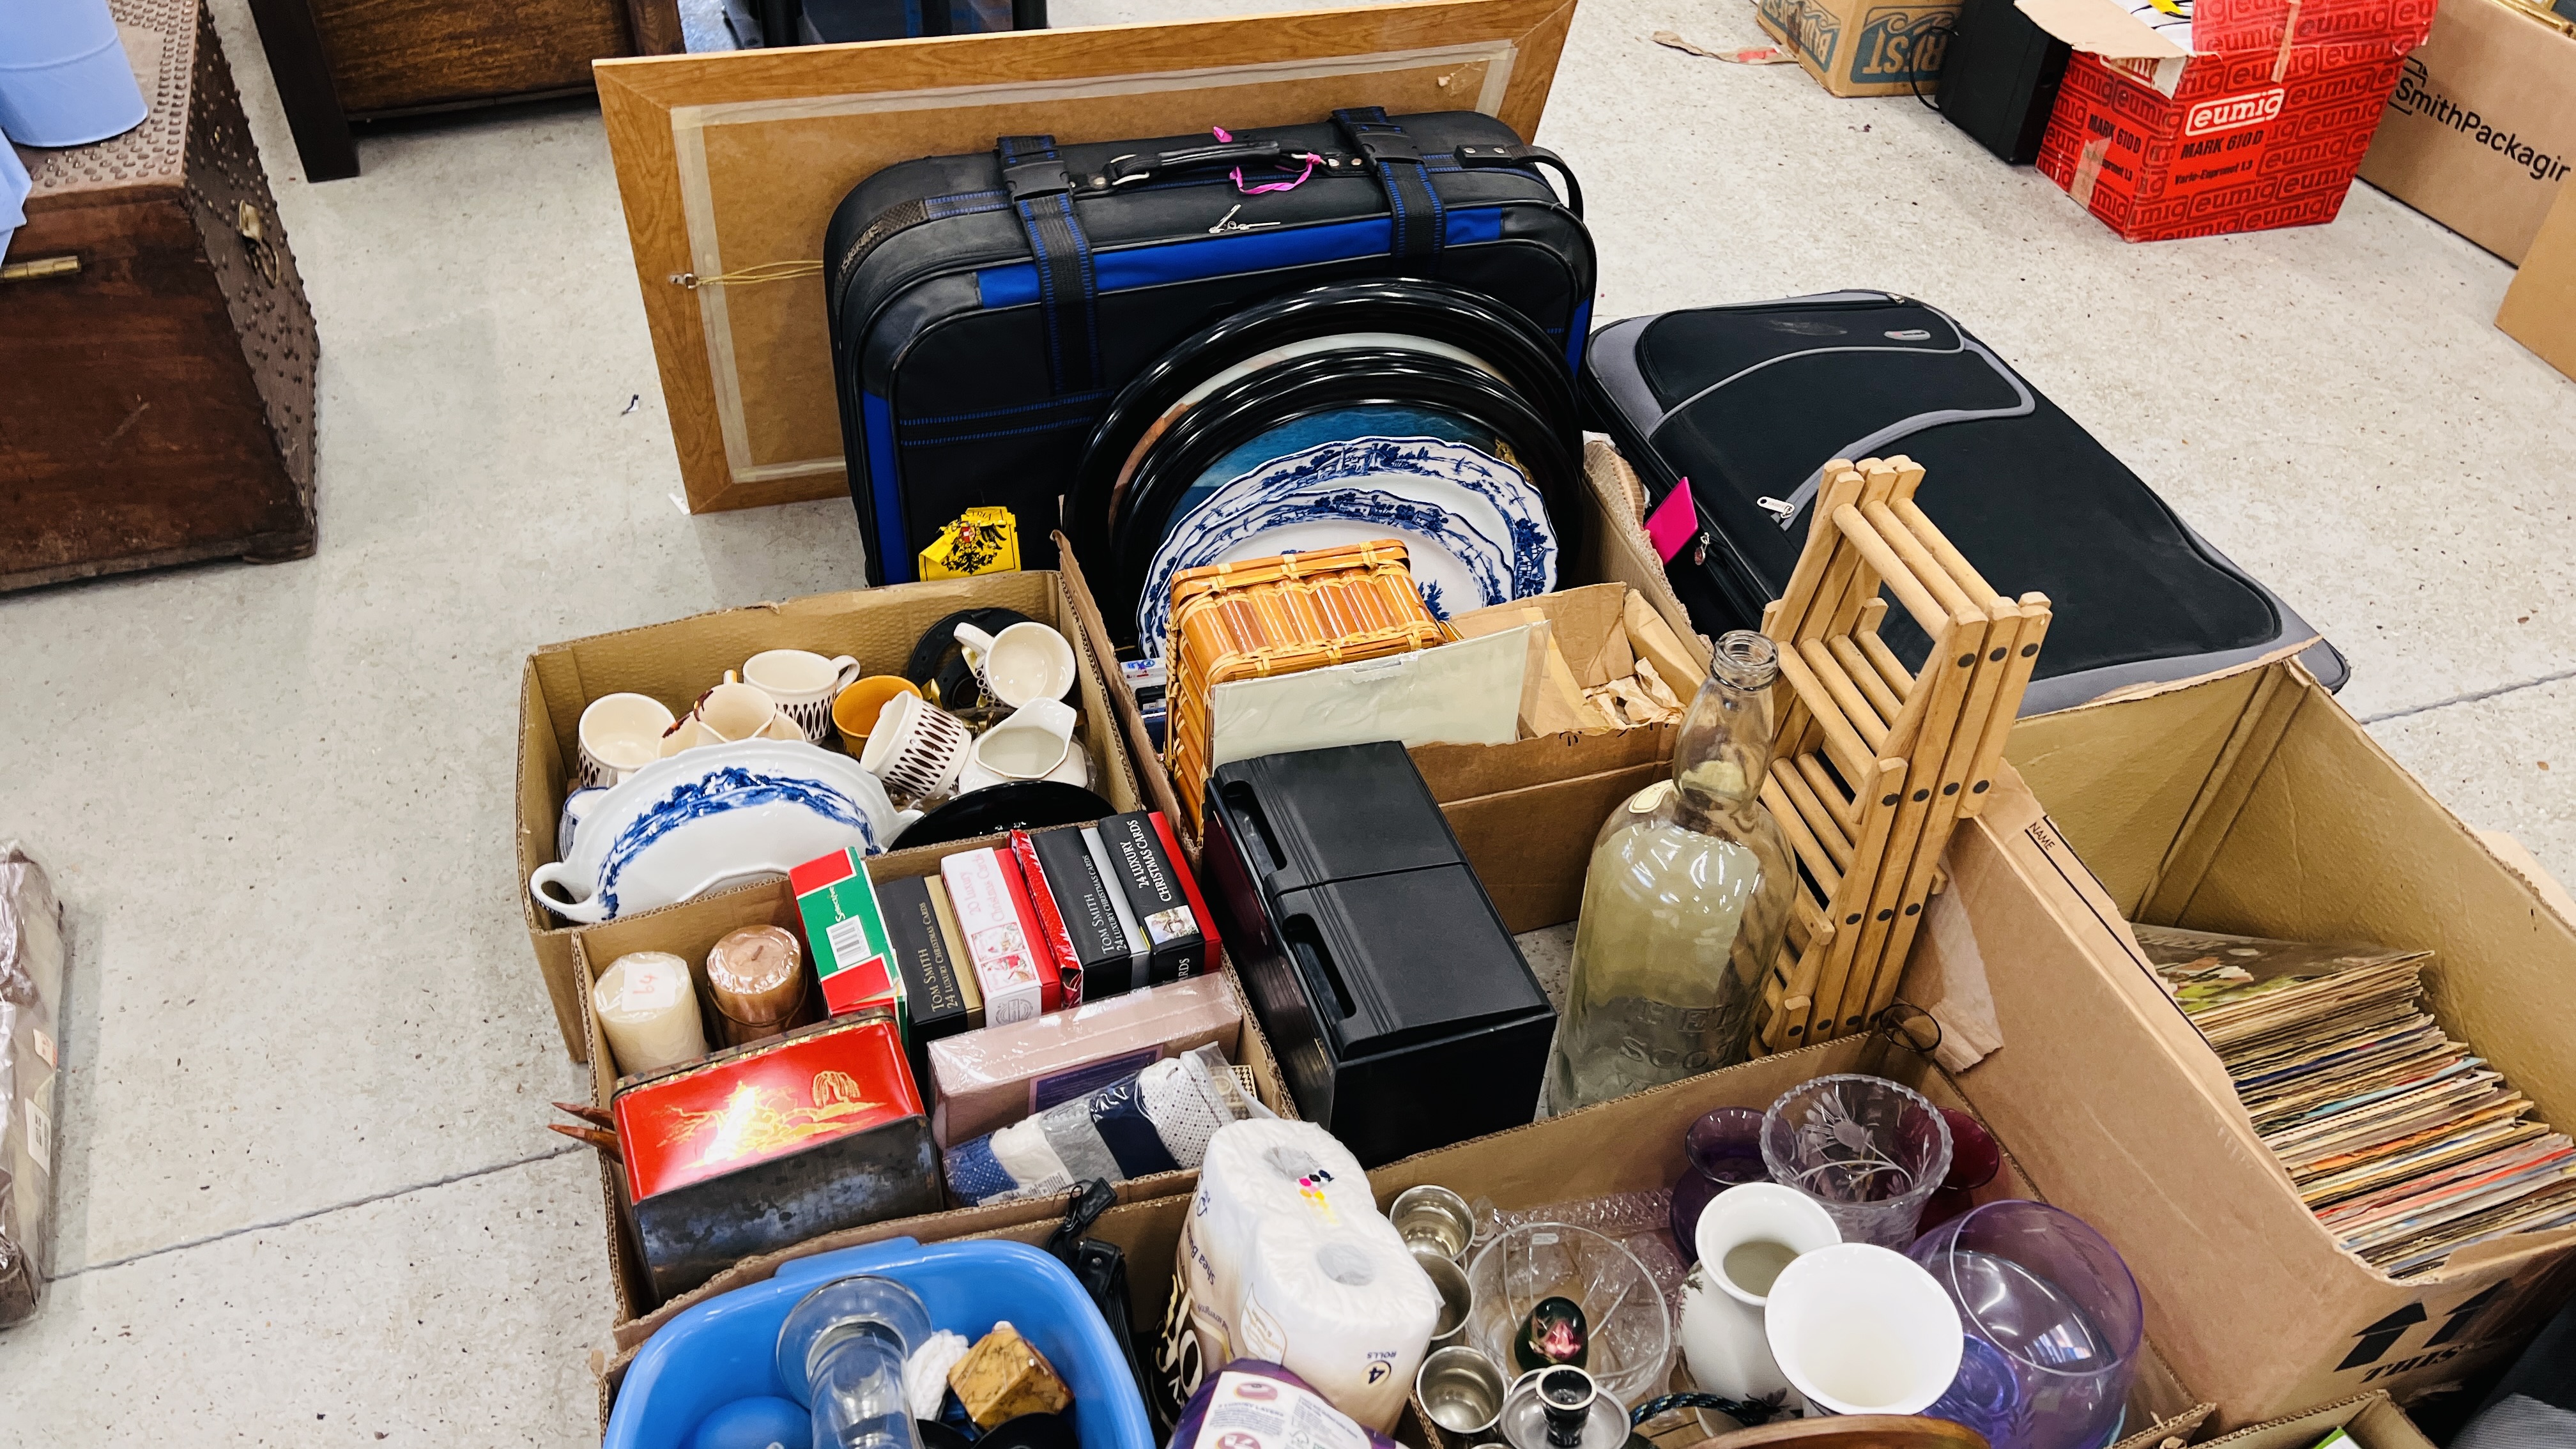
point(1748, 404)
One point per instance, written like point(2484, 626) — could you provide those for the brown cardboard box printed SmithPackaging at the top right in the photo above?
point(2482, 125)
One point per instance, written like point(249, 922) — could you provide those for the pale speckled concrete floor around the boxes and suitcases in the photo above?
point(305, 1187)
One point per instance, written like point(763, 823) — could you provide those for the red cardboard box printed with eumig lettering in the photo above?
point(2258, 122)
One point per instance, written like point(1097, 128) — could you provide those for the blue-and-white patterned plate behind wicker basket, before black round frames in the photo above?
point(1475, 527)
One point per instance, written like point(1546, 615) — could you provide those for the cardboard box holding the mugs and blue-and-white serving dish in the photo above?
point(684, 659)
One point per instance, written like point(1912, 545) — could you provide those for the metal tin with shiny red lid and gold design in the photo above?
point(774, 1143)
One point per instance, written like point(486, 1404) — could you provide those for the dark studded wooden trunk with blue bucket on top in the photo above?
point(156, 347)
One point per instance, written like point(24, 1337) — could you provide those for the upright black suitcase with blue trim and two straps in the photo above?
point(988, 308)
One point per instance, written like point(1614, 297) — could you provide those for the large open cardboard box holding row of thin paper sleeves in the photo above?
point(2333, 1174)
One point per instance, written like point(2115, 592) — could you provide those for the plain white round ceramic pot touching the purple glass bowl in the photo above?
point(1861, 1329)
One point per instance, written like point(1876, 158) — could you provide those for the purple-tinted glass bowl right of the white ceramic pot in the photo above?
point(2060, 1311)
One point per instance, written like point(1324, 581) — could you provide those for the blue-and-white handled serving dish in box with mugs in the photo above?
point(710, 819)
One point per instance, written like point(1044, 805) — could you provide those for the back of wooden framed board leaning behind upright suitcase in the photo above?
point(735, 161)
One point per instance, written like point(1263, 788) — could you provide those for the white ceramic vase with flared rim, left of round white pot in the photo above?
point(1748, 1239)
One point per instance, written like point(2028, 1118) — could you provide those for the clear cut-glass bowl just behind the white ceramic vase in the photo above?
point(1871, 1151)
